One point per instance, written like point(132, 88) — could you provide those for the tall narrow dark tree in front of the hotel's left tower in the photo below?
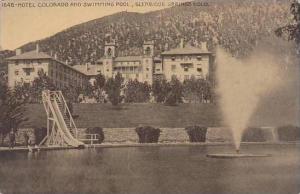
point(113, 88)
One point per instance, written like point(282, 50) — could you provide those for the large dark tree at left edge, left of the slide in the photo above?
point(12, 110)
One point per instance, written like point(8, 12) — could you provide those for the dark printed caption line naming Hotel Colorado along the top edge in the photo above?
point(11, 4)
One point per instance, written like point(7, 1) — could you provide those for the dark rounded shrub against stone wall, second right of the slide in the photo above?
point(147, 134)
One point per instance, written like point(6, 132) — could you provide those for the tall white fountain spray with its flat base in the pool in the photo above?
point(242, 83)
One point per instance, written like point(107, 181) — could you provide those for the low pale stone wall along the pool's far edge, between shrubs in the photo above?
point(171, 135)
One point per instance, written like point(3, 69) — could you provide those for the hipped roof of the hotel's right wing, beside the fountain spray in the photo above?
point(188, 50)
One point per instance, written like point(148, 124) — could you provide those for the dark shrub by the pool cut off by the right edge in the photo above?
point(289, 133)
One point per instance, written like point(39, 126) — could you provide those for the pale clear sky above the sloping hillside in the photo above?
point(20, 25)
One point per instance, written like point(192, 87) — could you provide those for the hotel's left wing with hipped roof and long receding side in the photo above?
point(25, 67)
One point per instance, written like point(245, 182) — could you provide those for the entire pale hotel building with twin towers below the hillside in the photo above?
point(183, 63)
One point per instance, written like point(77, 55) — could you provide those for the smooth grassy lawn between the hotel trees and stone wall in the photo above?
point(132, 115)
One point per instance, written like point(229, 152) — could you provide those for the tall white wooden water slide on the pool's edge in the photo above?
point(61, 128)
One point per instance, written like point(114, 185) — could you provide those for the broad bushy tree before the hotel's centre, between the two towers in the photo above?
point(136, 91)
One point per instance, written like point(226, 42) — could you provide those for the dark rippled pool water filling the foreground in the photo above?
point(184, 169)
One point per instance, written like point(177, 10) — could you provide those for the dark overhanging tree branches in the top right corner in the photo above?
point(292, 30)
